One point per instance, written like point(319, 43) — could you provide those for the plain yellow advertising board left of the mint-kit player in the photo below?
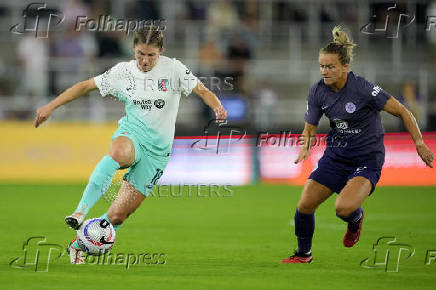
point(54, 152)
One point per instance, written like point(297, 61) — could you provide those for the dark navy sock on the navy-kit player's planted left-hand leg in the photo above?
point(304, 228)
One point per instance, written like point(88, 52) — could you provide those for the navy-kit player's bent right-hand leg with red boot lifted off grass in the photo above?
point(348, 207)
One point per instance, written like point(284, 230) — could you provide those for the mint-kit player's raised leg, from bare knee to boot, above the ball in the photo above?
point(121, 155)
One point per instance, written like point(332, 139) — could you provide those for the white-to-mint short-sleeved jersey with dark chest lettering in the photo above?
point(151, 99)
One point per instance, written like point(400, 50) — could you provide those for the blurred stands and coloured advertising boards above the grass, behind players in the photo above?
point(268, 48)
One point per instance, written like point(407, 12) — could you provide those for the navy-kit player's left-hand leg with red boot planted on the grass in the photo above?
point(314, 193)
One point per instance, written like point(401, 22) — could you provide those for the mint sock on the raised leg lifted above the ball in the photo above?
point(99, 182)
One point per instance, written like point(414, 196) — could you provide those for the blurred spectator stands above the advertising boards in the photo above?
point(268, 49)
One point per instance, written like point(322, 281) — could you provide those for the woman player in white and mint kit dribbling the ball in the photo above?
point(150, 86)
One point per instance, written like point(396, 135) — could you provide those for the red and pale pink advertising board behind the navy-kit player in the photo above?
point(402, 165)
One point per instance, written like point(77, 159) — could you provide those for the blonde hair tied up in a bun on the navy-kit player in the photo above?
point(341, 45)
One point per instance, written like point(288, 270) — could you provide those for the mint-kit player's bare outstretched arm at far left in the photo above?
point(79, 89)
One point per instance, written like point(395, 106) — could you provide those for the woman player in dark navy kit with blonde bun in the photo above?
point(354, 157)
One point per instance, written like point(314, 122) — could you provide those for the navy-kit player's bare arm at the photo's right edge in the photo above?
point(395, 108)
